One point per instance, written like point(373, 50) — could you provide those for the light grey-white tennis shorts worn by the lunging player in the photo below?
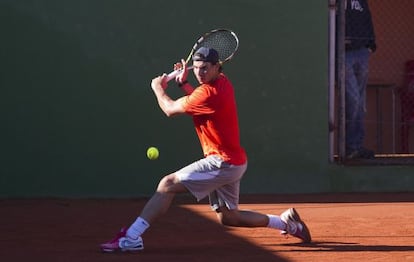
point(213, 177)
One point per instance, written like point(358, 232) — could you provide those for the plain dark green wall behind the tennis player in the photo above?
point(77, 111)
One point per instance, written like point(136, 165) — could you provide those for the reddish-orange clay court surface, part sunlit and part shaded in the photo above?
point(344, 227)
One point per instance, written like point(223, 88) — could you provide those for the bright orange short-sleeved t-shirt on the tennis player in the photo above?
point(214, 111)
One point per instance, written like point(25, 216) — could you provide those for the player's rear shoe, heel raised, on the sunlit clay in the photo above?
point(295, 226)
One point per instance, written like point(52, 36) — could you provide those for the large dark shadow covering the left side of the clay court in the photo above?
point(71, 230)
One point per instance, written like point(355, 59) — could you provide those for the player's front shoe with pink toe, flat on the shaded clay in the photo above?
point(122, 243)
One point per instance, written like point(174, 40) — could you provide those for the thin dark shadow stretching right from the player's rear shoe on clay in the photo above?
point(333, 246)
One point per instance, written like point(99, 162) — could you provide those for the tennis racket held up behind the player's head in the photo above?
point(224, 41)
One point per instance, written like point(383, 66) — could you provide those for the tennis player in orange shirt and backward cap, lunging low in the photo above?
point(213, 108)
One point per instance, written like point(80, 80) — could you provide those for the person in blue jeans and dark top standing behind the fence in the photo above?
point(359, 44)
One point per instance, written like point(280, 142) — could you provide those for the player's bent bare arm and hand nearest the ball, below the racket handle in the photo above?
point(169, 106)
